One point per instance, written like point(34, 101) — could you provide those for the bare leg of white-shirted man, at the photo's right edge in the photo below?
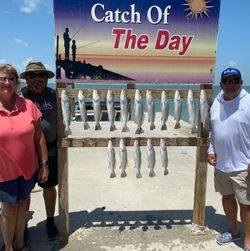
point(245, 220)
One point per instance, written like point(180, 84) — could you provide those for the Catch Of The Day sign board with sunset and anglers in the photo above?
point(140, 41)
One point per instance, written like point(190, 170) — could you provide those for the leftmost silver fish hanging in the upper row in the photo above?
point(66, 112)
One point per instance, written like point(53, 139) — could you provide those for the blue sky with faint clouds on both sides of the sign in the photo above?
point(28, 34)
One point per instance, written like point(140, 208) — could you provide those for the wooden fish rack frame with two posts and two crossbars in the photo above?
point(201, 142)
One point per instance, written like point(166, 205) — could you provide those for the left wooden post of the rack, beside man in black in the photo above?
point(63, 191)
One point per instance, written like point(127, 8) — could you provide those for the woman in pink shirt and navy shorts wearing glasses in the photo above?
point(22, 152)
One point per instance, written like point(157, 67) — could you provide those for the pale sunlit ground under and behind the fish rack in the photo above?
point(129, 214)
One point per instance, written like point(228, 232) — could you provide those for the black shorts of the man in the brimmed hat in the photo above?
point(53, 173)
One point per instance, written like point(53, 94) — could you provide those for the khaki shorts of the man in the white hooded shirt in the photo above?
point(237, 183)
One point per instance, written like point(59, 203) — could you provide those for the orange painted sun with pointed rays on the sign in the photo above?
point(197, 8)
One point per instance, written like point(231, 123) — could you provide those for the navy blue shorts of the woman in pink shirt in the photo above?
point(15, 190)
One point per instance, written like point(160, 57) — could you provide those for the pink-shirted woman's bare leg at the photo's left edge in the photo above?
point(8, 224)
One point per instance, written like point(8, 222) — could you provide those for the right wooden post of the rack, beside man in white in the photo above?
point(200, 175)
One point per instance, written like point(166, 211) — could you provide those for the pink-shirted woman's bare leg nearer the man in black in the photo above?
point(20, 223)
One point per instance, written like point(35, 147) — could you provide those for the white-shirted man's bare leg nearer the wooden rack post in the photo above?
point(231, 209)
